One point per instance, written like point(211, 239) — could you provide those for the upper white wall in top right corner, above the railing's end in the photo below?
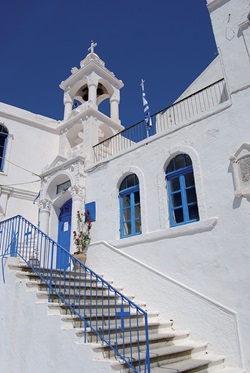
point(232, 34)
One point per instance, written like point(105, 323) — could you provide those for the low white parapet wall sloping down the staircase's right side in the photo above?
point(187, 308)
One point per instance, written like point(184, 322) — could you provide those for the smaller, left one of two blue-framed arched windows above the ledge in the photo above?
point(130, 209)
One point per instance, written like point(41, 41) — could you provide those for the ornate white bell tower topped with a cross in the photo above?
point(84, 125)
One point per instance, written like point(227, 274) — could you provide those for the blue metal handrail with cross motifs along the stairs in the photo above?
point(103, 310)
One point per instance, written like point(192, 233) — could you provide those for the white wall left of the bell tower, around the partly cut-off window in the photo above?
point(31, 145)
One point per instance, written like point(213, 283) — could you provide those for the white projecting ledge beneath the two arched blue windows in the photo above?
point(178, 231)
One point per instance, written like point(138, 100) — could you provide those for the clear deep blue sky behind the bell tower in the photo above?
point(167, 43)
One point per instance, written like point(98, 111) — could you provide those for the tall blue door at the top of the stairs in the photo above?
point(64, 232)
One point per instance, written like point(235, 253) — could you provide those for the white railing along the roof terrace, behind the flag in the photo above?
point(177, 114)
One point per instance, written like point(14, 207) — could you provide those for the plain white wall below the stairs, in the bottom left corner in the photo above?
point(33, 341)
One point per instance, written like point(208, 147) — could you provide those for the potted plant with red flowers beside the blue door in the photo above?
point(82, 236)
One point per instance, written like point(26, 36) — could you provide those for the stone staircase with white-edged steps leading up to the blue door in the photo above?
point(171, 350)
